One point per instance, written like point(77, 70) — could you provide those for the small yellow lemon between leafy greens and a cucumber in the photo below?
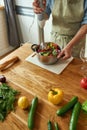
point(23, 102)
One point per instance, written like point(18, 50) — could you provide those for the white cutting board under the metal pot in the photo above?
point(57, 68)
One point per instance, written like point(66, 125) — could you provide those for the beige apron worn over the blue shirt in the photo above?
point(66, 18)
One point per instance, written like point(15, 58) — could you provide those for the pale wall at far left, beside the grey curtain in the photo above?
point(4, 43)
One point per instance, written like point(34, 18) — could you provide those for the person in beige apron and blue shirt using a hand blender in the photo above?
point(69, 23)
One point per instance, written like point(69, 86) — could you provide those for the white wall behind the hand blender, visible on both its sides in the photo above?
point(27, 24)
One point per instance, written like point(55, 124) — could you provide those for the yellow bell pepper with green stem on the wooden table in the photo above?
point(55, 96)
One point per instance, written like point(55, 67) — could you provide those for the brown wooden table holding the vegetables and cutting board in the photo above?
point(31, 81)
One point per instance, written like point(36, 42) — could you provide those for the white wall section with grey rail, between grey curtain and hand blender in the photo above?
point(26, 21)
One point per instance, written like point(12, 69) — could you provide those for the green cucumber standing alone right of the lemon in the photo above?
point(32, 113)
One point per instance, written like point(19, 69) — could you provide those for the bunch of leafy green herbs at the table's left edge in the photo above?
point(7, 99)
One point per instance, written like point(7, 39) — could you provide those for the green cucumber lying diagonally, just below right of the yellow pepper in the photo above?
point(67, 107)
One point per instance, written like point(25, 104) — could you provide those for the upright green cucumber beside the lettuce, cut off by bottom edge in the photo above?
point(75, 116)
